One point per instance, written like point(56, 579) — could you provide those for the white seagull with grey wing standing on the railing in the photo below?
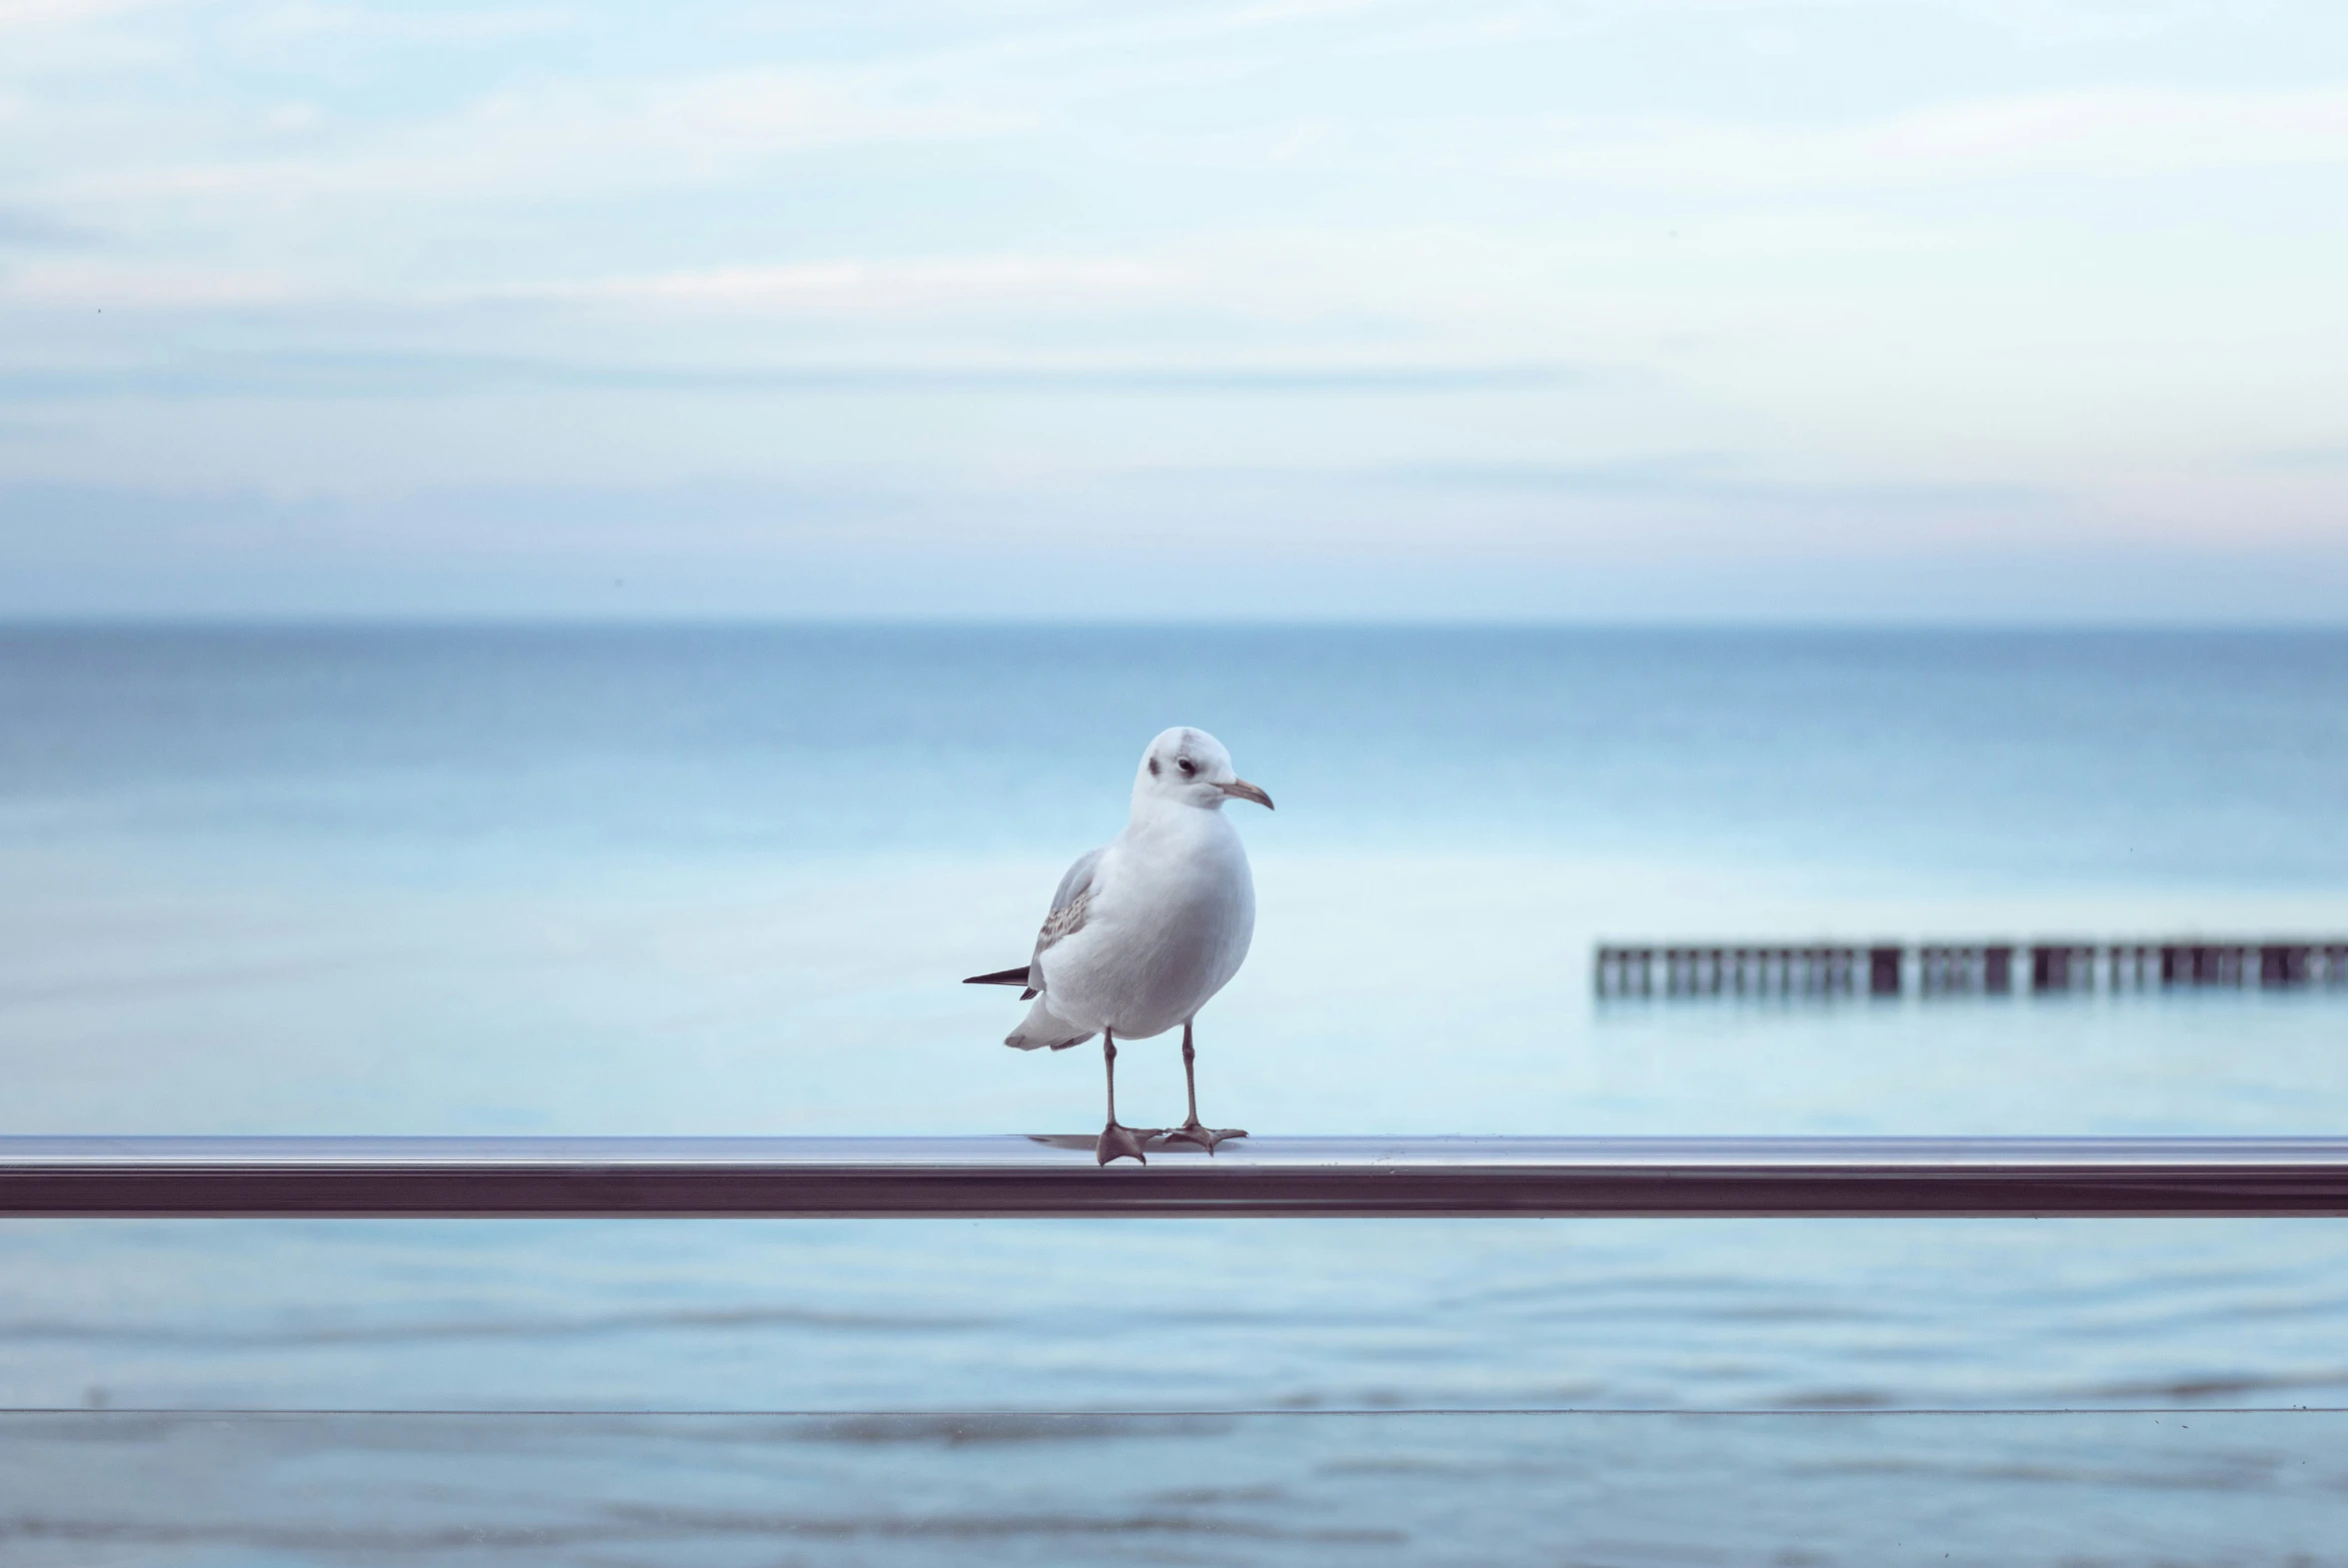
point(1147, 928)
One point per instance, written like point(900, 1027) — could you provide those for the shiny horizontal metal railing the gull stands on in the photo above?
point(1257, 1177)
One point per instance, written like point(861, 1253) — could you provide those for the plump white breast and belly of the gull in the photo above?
point(1173, 914)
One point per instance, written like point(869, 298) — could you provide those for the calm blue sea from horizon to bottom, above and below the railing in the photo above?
point(724, 879)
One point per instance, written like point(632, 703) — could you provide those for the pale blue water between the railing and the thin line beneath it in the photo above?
point(1175, 1316)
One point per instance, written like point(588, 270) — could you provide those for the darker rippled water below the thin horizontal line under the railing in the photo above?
point(1875, 1492)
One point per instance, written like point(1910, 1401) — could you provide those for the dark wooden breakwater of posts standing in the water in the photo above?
point(1959, 968)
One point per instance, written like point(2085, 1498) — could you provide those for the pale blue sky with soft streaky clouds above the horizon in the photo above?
point(1302, 311)
